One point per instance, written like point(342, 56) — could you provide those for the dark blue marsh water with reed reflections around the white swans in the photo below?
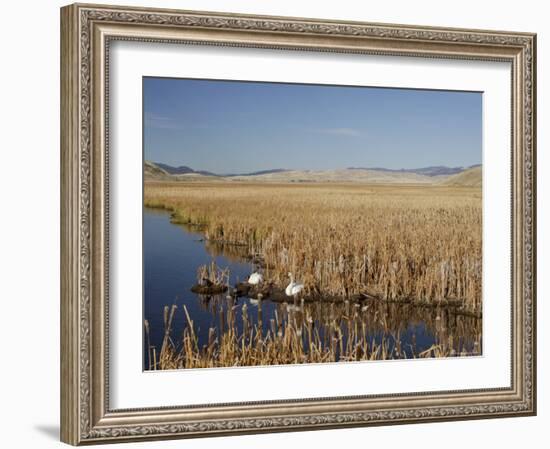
point(172, 254)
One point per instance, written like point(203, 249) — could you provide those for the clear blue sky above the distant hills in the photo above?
point(234, 127)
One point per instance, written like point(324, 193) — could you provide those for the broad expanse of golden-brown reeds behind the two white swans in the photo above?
point(416, 242)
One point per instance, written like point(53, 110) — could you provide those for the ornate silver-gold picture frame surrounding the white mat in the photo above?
point(87, 32)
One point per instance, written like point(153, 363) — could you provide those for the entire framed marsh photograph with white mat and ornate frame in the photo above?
point(280, 224)
